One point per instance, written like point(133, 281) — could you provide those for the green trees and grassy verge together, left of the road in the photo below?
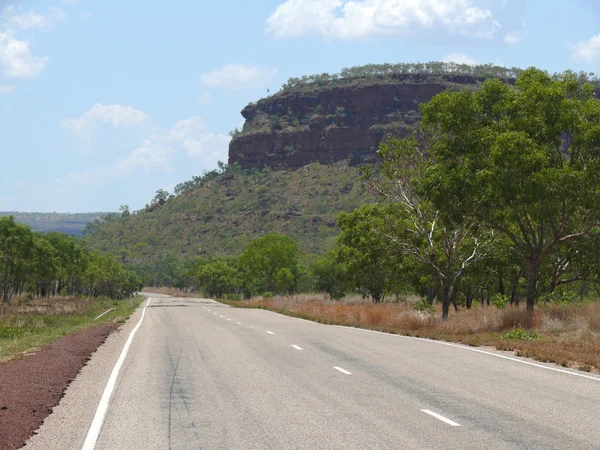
point(53, 284)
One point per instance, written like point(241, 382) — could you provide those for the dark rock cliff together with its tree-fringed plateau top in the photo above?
point(327, 118)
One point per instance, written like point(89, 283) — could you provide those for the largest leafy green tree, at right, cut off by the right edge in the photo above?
point(523, 161)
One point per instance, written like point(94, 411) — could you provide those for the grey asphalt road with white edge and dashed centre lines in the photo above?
point(199, 375)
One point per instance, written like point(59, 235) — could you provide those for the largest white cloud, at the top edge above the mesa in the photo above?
point(356, 19)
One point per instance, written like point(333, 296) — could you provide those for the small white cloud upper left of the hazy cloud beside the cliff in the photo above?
point(115, 115)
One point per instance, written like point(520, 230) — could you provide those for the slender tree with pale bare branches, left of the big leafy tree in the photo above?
point(416, 226)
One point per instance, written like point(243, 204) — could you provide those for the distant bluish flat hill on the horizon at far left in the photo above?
point(73, 224)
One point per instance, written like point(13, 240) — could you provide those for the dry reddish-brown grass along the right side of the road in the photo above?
point(567, 335)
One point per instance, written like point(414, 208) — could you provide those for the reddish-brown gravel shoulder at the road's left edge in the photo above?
point(32, 386)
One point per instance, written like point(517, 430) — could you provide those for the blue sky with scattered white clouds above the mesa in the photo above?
point(103, 102)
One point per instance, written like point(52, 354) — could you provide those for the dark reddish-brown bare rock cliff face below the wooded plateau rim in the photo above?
point(290, 130)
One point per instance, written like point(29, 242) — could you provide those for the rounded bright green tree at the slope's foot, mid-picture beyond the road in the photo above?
point(264, 257)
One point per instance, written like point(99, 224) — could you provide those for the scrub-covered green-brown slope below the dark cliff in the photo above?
point(223, 212)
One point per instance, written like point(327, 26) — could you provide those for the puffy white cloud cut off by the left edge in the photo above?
point(16, 59)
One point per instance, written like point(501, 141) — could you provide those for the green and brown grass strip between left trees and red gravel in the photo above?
point(29, 326)
